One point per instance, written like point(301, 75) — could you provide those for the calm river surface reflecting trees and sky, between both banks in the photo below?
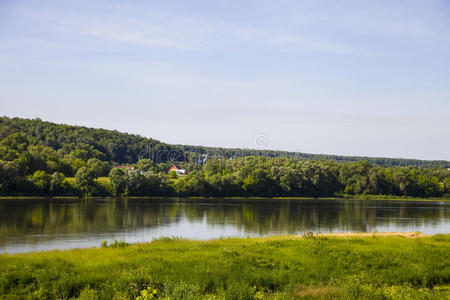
point(40, 224)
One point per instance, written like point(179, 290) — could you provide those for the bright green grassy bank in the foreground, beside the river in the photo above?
point(312, 267)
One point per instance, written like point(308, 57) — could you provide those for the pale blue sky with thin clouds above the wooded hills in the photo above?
point(362, 77)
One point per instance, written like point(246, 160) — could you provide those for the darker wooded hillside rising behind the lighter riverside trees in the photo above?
point(111, 145)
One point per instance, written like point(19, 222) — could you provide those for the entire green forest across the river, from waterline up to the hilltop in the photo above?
point(47, 159)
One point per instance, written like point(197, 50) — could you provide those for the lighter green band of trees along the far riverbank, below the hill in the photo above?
point(248, 177)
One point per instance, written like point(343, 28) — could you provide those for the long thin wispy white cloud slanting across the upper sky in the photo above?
point(168, 29)
